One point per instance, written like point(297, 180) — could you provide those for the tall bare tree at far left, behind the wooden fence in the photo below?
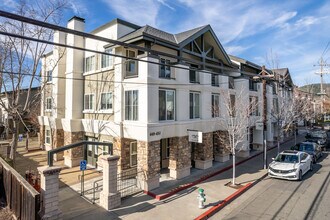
point(20, 58)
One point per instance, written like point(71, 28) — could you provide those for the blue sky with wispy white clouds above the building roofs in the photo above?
point(294, 32)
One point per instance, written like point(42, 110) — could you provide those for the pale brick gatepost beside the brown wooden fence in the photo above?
point(49, 192)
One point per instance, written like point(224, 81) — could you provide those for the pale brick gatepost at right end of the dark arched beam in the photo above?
point(109, 197)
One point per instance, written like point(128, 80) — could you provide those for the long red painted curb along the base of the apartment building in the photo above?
point(188, 185)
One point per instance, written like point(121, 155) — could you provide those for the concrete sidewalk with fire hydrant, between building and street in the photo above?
point(181, 205)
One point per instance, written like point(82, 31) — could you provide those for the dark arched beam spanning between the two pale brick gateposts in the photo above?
point(78, 144)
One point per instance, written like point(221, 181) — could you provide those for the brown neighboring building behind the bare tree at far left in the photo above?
point(30, 120)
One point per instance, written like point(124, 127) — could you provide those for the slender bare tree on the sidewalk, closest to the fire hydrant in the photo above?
point(235, 119)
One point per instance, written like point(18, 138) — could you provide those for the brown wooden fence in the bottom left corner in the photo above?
point(21, 197)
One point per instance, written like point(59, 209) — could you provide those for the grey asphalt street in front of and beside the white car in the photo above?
point(283, 199)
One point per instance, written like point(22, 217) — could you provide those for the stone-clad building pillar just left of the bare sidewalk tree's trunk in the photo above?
point(221, 146)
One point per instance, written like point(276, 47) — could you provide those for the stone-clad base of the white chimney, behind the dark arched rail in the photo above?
point(73, 156)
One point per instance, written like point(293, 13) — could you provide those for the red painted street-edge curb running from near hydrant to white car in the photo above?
point(228, 200)
